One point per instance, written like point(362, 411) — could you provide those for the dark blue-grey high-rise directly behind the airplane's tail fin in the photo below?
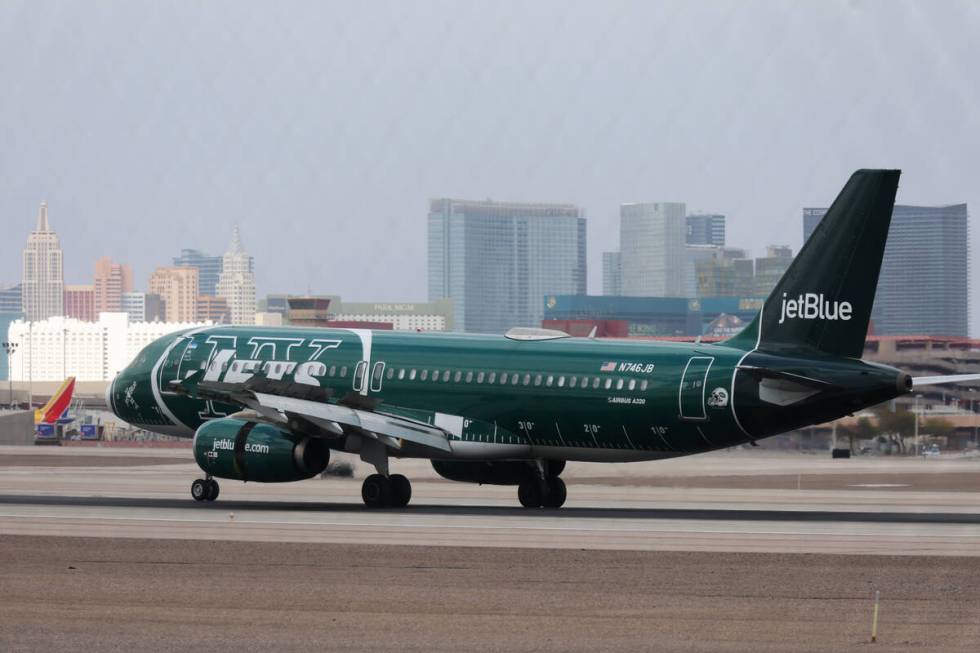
point(923, 285)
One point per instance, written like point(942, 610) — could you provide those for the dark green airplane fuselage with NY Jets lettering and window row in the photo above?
point(566, 398)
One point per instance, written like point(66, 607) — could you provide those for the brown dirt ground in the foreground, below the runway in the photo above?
point(122, 595)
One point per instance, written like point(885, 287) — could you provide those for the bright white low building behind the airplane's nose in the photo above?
point(59, 347)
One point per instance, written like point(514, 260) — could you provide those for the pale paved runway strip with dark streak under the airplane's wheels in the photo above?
point(150, 499)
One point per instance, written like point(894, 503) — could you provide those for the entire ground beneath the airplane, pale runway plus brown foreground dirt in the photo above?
point(109, 552)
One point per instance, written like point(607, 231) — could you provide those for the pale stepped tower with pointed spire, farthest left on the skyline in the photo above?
point(43, 284)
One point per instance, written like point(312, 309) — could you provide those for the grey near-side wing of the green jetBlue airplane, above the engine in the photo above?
point(298, 407)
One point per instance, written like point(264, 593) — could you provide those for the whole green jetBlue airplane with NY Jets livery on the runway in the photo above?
point(270, 404)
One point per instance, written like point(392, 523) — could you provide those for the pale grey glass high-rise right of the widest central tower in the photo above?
point(652, 239)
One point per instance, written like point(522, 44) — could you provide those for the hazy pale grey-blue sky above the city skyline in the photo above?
point(324, 128)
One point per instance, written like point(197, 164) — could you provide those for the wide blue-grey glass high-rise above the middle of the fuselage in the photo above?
point(498, 260)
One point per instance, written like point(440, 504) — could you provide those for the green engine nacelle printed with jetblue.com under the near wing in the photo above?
point(256, 451)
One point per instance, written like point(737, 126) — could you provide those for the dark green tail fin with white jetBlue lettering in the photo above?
point(823, 301)
